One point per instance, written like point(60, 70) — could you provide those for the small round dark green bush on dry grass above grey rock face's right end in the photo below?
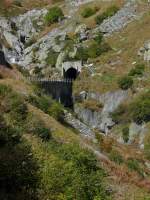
point(125, 82)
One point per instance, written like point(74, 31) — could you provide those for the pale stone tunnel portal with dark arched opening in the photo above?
point(70, 70)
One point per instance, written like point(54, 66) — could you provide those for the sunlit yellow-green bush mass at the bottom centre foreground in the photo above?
point(73, 174)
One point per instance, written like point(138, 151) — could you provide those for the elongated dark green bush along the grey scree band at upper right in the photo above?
point(108, 13)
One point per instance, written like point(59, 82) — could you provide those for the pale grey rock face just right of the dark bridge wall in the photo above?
point(101, 120)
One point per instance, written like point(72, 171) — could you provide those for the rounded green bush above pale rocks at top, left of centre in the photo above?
point(53, 15)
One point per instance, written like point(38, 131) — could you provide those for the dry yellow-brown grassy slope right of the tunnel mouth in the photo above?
point(125, 46)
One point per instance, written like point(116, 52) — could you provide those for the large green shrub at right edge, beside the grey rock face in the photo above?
point(140, 108)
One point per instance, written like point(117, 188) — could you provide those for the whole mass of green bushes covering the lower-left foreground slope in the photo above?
point(69, 173)
